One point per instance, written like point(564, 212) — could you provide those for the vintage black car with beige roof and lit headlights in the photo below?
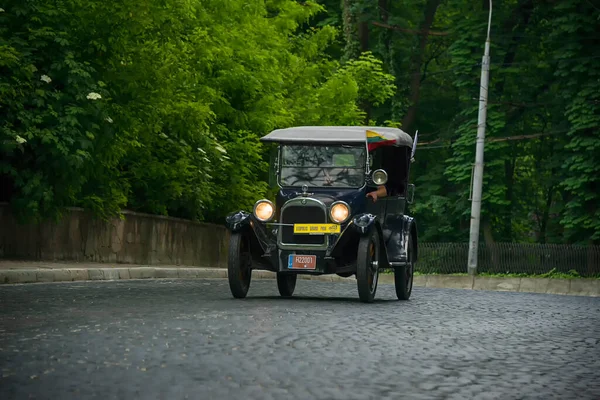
point(322, 221)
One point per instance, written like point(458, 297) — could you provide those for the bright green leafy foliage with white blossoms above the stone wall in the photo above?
point(158, 106)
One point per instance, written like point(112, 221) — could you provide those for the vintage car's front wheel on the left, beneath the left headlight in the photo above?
point(239, 270)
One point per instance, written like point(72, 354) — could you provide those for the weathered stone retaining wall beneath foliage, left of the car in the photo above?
point(135, 239)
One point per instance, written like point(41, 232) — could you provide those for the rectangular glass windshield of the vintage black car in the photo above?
point(334, 166)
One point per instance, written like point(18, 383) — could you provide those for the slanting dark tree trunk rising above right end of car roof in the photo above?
point(417, 63)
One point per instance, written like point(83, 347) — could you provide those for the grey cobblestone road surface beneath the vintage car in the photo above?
point(182, 339)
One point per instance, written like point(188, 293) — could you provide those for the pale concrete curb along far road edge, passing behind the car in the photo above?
point(576, 287)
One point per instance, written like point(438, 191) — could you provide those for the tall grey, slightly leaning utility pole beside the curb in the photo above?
point(478, 173)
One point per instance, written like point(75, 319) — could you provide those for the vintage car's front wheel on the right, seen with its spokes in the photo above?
point(367, 268)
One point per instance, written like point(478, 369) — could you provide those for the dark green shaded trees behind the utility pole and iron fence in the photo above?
point(541, 166)
